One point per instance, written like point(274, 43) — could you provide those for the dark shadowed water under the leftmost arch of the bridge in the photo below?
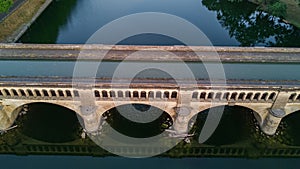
point(49, 123)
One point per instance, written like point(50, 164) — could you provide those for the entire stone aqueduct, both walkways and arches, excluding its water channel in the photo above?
point(270, 100)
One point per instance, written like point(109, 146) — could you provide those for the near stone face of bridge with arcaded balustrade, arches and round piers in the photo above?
point(270, 100)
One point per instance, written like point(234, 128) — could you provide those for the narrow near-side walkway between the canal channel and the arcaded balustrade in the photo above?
point(151, 83)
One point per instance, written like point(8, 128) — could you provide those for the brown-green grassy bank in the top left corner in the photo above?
point(18, 18)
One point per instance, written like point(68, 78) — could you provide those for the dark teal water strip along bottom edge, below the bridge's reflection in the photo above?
point(62, 162)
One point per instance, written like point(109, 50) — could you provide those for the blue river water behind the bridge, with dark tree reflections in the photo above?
point(224, 23)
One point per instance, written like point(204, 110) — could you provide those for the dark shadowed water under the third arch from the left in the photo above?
point(234, 127)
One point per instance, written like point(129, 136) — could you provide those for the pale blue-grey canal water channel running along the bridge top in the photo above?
point(248, 71)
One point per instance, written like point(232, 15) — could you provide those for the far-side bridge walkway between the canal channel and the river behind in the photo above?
point(154, 53)
